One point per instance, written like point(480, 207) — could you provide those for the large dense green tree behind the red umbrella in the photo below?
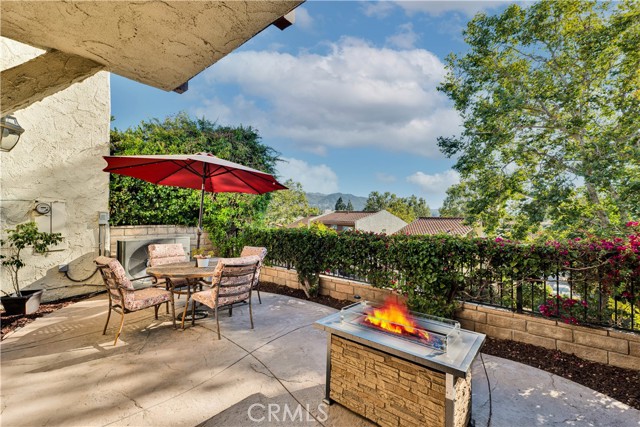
point(133, 201)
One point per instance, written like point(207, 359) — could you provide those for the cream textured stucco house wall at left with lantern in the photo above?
point(58, 160)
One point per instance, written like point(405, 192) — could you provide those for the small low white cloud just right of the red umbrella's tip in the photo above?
point(314, 178)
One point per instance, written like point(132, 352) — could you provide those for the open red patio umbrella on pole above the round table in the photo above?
point(202, 171)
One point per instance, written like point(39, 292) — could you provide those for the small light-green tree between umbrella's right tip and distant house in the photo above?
point(286, 206)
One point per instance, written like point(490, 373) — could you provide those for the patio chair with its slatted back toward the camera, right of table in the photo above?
point(232, 282)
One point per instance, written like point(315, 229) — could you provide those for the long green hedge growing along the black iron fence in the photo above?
point(435, 272)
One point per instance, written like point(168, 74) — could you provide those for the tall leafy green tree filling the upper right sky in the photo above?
point(551, 108)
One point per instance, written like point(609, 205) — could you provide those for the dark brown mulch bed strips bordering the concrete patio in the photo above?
point(620, 384)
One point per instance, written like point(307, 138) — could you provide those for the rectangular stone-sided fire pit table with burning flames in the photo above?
point(396, 367)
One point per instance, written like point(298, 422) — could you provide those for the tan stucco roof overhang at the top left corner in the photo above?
point(161, 44)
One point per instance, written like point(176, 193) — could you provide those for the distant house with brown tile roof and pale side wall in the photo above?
point(376, 222)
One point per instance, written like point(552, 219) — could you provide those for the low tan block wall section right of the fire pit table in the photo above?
point(608, 346)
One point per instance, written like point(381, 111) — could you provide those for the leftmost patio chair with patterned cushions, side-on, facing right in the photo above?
point(124, 298)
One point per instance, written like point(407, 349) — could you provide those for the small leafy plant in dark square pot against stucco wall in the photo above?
point(22, 237)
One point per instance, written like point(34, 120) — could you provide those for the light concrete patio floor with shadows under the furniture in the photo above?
point(61, 371)
